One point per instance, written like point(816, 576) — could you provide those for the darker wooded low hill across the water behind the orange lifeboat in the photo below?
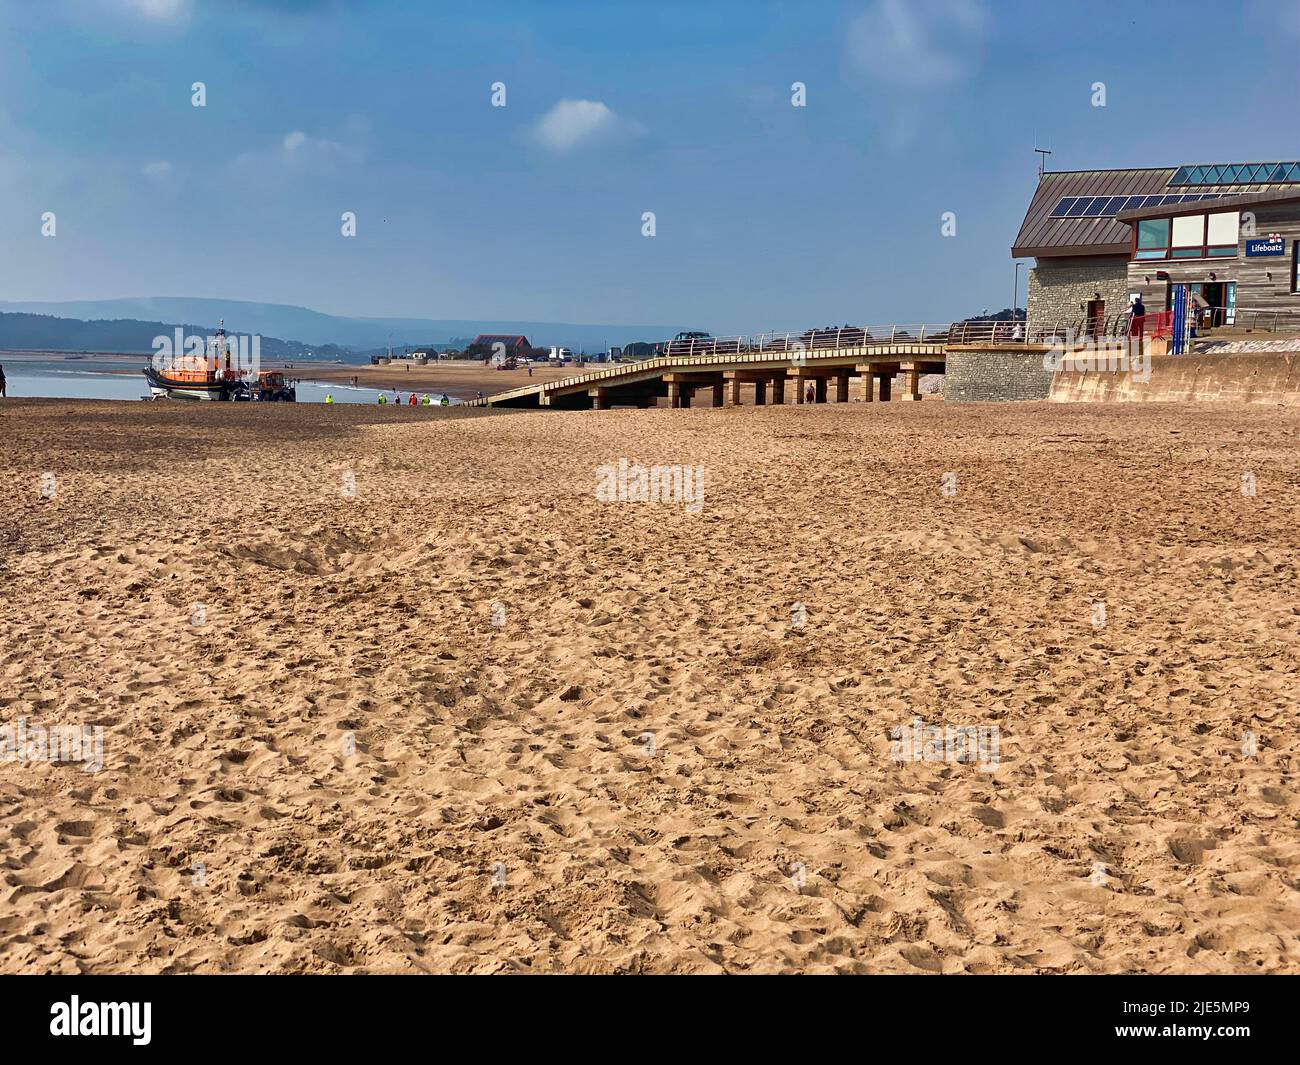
point(131, 336)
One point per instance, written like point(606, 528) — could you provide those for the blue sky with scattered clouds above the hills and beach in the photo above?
point(768, 217)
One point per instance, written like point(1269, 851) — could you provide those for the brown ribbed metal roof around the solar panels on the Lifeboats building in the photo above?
point(1043, 236)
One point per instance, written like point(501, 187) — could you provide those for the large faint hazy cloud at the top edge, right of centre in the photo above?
point(918, 44)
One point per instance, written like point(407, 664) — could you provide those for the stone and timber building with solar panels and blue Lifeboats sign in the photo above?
point(1228, 236)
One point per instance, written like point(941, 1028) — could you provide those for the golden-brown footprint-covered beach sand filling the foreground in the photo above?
point(346, 767)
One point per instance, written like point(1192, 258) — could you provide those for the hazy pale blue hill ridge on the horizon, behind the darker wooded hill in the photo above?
point(315, 328)
